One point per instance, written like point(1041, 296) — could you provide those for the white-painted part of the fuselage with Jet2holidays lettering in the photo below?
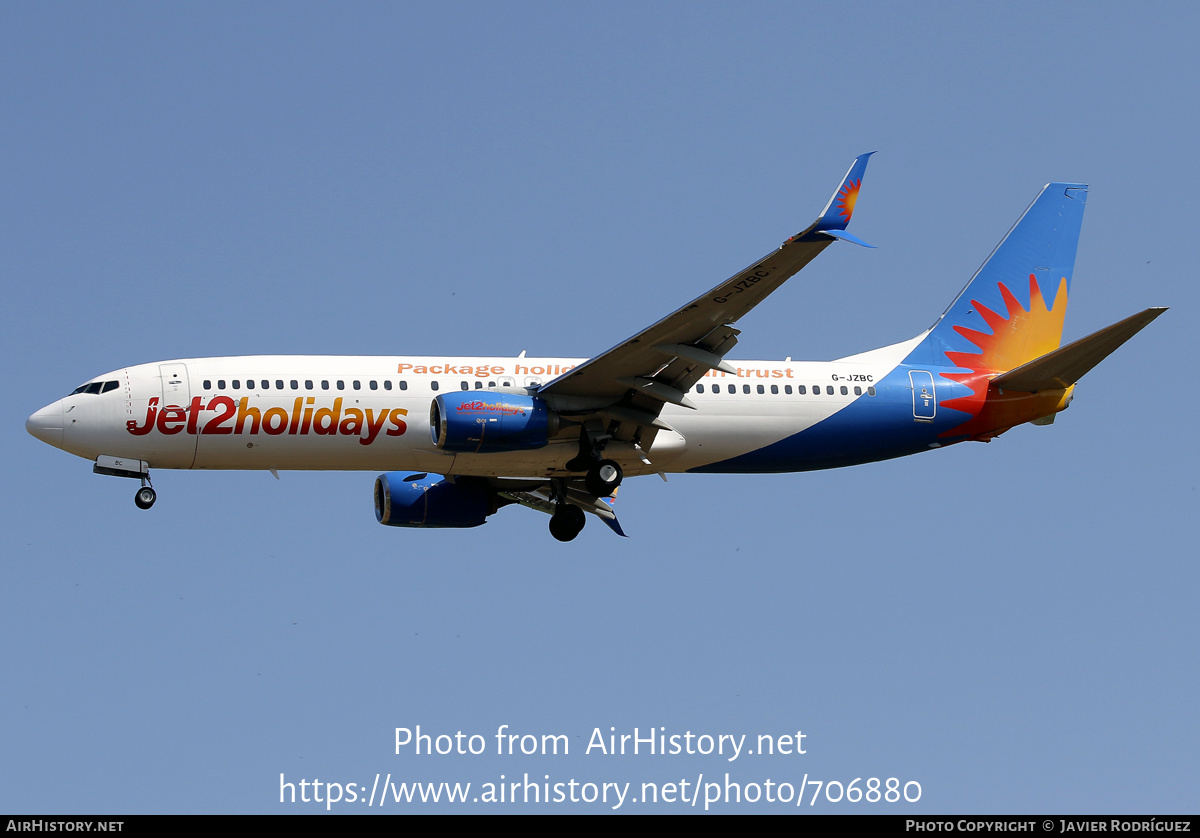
point(322, 412)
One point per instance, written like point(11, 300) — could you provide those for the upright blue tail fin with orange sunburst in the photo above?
point(1012, 310)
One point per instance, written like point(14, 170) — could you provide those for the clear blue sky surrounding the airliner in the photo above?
point(1013, 626)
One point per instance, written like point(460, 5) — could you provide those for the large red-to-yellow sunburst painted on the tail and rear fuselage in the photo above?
point(1017, 338)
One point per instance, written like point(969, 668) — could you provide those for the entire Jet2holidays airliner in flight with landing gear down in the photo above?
point(560, 434)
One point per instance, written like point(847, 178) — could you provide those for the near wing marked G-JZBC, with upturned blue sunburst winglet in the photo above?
point(658, 366)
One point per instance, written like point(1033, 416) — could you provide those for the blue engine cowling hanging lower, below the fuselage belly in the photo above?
point(407, 500)
